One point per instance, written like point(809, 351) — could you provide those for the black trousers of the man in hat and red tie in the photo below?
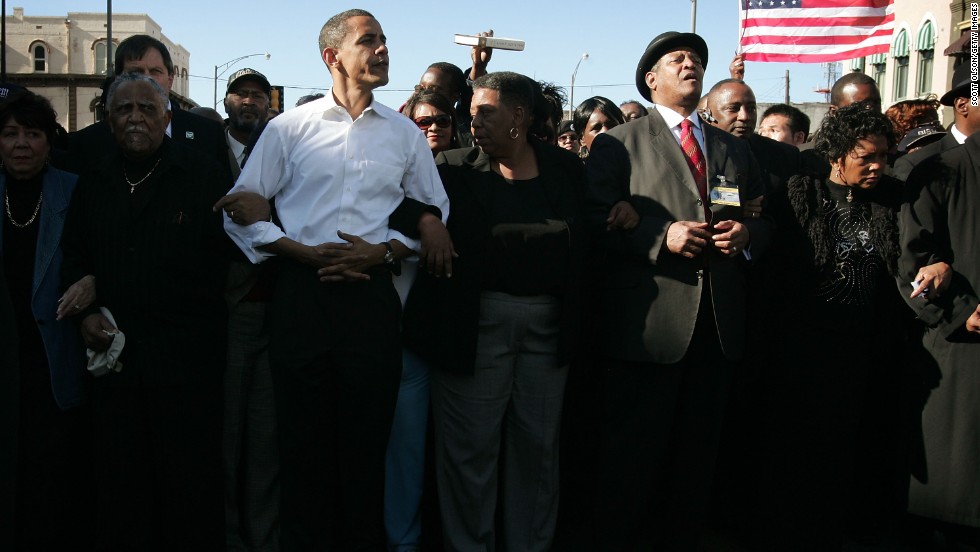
point(660, 437)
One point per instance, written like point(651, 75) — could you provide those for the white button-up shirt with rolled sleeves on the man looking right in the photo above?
point(328, 172)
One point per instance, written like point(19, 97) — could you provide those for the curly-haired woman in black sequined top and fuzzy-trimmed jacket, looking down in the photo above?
point(833, 343)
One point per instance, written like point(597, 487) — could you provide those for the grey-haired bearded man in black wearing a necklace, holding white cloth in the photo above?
point(142, 224)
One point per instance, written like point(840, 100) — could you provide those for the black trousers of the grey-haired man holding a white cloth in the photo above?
point(159, 464)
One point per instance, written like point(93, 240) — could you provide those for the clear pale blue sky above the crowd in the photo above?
point(421, 32)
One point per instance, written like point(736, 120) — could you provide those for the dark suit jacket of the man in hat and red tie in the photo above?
point(650, 296)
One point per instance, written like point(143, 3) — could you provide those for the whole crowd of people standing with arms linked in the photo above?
point(468, 324)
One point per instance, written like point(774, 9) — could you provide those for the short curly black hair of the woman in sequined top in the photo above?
point(841, 130)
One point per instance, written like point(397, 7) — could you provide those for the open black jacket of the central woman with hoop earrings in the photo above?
point(442, 315)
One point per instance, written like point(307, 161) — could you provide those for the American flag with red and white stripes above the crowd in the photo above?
point(814, 31)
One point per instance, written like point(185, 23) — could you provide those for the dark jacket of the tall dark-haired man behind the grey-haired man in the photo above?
point(89, 146)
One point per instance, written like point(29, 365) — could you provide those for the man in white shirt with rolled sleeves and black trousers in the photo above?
point(337, 167)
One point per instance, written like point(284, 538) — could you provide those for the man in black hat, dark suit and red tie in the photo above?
point(674, 299)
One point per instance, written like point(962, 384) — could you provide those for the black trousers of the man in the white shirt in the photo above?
point(335, 356)
